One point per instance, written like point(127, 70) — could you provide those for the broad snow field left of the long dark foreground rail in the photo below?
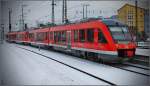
point(25, 68)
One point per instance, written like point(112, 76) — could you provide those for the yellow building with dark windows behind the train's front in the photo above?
point(127, 14)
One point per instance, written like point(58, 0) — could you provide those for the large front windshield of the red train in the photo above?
point(120, 33)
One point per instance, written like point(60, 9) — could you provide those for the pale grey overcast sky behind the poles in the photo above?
point(40, 11)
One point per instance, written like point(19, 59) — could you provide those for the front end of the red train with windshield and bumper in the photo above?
point(123, 41)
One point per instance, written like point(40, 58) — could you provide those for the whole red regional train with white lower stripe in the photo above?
point(107, 40)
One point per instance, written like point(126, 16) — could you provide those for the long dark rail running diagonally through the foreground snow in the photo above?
point(108, 82)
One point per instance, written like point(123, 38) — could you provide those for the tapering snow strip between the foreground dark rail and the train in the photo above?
point(115, 75)
